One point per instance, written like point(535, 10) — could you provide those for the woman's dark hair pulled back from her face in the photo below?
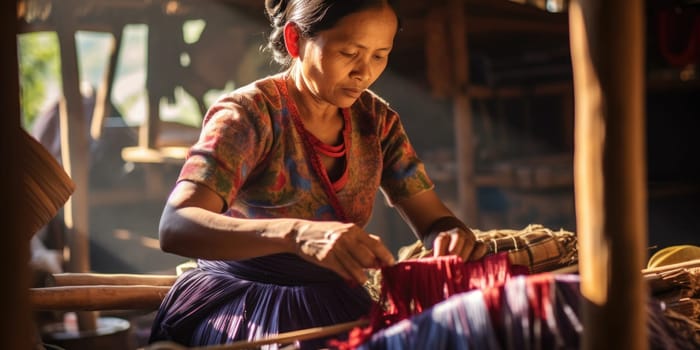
point(311, 16)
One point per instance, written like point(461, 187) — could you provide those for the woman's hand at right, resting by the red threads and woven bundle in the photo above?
point(460, 242)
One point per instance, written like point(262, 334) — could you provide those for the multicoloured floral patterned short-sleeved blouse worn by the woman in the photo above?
point(252, 155)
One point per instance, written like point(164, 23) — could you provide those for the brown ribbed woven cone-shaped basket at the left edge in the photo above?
point(47, 185)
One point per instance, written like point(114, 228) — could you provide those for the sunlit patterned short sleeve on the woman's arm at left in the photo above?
point(232, 142)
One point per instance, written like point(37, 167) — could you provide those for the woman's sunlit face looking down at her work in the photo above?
point(338, 64)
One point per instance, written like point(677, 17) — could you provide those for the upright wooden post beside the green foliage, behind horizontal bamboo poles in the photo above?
point(75, 153)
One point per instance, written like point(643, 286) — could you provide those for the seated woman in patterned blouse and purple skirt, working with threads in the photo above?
point(294, 161)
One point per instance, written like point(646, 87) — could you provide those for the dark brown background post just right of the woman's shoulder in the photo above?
point(464, 138)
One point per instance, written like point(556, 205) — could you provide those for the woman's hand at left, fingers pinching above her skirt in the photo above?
point(343, 248)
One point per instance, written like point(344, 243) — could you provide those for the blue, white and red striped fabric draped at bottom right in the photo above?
point(533, 312)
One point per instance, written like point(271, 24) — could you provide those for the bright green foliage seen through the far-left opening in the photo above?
point(39, 72)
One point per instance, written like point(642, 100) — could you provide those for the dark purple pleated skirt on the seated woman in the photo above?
point(225, 301)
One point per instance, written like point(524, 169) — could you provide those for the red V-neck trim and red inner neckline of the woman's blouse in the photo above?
point(313, 146)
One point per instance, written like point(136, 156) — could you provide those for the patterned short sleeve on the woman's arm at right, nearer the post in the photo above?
point(403, 173)
